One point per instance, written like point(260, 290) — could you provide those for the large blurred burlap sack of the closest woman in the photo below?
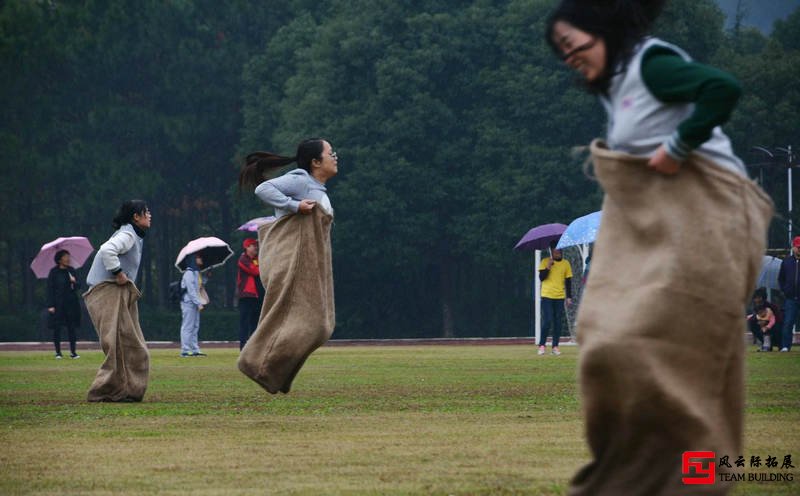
point(661, 324)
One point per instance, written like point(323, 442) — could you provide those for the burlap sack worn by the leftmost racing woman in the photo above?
point(115, 314)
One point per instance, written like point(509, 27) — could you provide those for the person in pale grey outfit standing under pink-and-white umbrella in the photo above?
point(193, 302)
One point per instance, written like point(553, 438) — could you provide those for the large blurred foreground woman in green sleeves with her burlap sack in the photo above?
point(681, 240)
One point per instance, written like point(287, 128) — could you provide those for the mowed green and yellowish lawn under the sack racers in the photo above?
point(360, 420)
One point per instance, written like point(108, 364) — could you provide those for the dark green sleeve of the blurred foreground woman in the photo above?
point(672, 79)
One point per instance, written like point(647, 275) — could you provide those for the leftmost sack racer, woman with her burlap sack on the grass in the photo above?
point(112, 304)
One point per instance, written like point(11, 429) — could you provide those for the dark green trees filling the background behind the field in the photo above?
point(456, 130)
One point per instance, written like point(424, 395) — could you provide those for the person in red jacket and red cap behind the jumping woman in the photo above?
point(249, 290)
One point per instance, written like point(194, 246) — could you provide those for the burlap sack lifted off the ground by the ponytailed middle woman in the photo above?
point(298, 315)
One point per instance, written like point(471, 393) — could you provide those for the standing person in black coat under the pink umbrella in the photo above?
point(62, 302)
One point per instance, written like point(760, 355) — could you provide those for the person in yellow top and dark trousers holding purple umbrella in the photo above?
point(556, 276)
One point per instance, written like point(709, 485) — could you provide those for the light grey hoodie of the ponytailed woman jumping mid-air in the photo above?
point(285, 192)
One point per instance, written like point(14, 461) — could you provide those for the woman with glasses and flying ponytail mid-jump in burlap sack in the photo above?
point(298, 314)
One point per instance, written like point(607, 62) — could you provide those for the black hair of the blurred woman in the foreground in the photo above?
point(622, 24)
